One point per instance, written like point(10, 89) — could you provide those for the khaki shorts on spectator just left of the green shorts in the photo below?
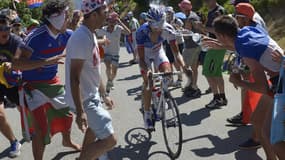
point(191, 55)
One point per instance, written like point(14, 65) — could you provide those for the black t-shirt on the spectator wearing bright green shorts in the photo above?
point(219, 10)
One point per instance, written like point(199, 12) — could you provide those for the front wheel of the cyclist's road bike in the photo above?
point(171, 127)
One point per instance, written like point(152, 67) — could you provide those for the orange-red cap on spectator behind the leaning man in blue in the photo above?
point(245, 9)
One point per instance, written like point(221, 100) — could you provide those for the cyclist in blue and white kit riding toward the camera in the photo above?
point(150, 37)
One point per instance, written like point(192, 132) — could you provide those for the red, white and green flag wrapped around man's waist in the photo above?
point(44, 103)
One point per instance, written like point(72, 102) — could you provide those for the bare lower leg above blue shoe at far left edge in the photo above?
point(4, 125)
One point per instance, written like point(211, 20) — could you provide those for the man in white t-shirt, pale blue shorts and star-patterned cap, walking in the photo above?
point(84, 86)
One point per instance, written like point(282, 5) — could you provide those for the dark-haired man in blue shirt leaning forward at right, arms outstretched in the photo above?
point(255, 48)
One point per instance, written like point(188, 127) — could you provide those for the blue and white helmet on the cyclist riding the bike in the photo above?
point(156, 17)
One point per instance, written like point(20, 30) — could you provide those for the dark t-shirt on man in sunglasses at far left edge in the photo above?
point(8, 50)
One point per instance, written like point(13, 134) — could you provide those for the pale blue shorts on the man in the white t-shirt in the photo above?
point(99, 119)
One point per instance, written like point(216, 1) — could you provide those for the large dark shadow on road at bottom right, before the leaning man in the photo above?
point(226, 145)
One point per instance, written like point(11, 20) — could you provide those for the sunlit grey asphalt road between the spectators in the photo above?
point(206, 135)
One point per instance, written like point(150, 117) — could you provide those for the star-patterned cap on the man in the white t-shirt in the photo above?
point(89, 6)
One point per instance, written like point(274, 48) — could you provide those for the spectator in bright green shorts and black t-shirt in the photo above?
point(214, 59)
